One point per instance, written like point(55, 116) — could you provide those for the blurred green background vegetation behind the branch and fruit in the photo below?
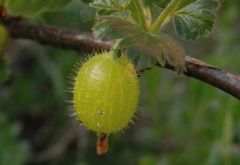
point(180, 120)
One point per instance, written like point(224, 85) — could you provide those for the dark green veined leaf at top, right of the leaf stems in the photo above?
point(194, 19)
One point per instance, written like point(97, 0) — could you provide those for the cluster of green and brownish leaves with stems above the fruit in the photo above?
point(130, 21)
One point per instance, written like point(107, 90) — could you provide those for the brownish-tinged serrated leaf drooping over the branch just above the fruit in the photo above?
point(159, 46)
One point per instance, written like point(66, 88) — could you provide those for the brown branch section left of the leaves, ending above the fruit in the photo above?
point(67, 39)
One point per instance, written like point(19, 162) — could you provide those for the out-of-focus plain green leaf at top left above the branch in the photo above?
point(30, 8)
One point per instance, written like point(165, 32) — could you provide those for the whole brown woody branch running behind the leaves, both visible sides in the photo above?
point(71, 40)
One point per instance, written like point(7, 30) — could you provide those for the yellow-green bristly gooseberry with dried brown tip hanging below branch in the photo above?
point(105, 95)
